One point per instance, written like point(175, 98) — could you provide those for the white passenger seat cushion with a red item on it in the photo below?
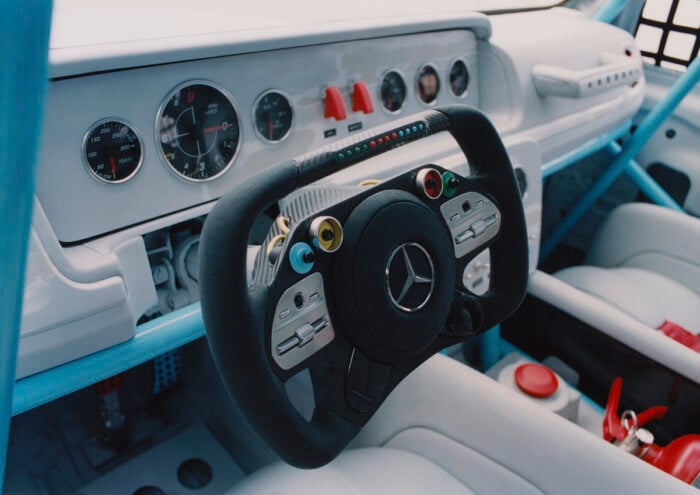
point(647, 296)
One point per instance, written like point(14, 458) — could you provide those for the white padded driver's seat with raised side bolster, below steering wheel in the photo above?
point(448, 429)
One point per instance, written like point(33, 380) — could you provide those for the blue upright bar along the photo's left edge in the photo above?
point(24, 37)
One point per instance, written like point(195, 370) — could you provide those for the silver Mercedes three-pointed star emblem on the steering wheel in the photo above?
point(410, 277)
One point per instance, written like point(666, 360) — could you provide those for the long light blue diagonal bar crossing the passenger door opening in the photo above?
point(646, 128)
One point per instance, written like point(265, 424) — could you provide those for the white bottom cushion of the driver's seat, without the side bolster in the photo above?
point(366, 471)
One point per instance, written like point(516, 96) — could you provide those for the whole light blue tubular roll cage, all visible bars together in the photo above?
point(24, 35)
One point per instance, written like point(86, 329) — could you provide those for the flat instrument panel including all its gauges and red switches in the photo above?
point(191, 130)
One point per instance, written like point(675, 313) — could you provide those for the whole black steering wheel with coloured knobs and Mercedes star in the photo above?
point(367, 283)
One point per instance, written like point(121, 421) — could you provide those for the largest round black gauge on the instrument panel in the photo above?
point(198, 131)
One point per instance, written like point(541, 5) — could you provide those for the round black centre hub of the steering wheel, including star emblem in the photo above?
point(394, 276)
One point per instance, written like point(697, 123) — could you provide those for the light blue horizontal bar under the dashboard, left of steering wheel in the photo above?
point(152, 339)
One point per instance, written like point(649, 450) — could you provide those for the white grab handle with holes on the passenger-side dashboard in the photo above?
point(615, 71)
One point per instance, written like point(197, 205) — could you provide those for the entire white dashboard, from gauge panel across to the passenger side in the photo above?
point(142, 136)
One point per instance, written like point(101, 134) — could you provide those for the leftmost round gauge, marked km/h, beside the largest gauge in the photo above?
point(112, 151)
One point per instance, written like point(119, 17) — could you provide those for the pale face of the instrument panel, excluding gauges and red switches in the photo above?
point(80, 207)
